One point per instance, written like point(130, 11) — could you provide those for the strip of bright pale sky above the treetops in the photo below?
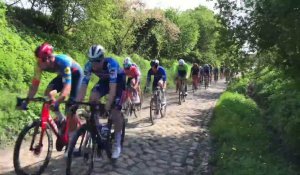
point(179, 4)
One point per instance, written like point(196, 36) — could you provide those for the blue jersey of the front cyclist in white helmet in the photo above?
point(110, 71)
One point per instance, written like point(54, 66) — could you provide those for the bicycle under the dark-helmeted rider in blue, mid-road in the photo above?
point(156, 106)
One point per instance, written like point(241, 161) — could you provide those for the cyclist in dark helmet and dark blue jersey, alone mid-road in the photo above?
point(160, 77)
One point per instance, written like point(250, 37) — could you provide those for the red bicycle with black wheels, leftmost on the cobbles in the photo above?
point(35, 133)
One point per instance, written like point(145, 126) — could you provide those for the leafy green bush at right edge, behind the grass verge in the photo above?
point(277, 94)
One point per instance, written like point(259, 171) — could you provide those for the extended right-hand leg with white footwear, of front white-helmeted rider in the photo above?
point(116, 115)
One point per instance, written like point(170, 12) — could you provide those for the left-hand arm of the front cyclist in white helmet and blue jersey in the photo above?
point(87, 76)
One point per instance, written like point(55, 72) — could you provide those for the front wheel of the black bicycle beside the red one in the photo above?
point(81, 154)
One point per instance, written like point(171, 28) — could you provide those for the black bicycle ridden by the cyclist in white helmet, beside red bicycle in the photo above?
point(97, 138)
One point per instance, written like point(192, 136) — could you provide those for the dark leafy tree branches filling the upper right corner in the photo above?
point(265, 26)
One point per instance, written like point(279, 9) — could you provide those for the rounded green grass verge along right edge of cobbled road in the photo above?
point(241, 140)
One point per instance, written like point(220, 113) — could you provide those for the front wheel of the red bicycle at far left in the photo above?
point(35, 159)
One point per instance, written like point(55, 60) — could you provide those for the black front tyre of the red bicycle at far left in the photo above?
point(16, 157)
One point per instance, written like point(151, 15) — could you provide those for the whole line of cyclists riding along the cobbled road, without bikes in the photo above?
point(72, 83)
